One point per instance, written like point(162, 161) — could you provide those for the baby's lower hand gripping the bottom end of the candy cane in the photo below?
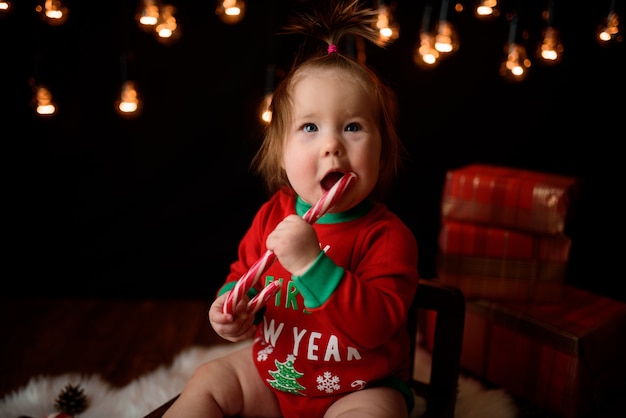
point(235, 328)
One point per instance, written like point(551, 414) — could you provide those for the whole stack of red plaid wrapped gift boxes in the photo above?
point(503, 243)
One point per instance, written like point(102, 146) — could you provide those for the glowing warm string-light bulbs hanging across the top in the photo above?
point(431, 47)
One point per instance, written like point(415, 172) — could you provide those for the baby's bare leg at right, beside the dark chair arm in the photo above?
point(377, 402)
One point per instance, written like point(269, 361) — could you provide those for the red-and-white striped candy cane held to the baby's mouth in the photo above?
point(245, 283)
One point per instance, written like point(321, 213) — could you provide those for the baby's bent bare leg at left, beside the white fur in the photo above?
point(225, 387)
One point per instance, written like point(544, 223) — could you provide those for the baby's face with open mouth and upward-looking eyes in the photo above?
point(334, 129)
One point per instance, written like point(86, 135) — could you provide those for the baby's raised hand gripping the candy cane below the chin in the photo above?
point(295, 244)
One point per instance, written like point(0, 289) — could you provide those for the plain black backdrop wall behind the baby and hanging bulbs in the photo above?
point(97, 205)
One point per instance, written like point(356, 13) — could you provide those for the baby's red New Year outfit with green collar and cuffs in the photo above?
point(341, 326)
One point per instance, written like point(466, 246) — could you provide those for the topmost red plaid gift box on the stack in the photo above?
point(509, 197)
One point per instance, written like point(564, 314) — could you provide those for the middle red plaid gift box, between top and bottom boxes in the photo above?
point(502, 264)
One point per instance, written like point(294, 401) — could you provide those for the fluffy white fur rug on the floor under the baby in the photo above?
point(138, 398)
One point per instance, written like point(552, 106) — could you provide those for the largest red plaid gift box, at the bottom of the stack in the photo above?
point(566, 357)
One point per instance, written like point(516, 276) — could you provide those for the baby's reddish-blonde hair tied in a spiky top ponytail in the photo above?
point(332, 25)
